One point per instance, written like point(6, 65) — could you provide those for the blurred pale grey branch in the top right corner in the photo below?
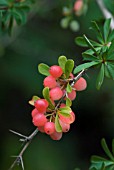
point(105, 12)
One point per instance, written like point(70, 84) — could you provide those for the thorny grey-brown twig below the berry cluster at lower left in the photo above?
point(26, 139)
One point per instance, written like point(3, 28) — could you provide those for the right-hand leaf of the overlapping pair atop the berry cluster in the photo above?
point(69, 67)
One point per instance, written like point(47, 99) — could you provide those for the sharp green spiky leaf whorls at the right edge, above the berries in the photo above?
point(100, 52)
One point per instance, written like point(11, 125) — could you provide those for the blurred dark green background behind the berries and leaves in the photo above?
point(43, 40)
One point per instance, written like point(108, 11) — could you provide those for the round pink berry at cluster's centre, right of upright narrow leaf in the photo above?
point(56, 93)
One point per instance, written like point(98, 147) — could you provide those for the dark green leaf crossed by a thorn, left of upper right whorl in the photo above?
point(82, 42)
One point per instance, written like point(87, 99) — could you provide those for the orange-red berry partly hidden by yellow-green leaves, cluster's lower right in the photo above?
point(69, 119)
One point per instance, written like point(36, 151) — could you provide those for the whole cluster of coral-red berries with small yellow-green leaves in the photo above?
point(53, 114)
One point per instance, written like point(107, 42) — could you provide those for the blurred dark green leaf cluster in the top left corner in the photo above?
point(13, 11)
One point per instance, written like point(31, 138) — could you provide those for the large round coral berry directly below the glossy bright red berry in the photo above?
point(39, 120)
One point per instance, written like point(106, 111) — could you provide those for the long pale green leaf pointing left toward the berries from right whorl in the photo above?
point(85, 66)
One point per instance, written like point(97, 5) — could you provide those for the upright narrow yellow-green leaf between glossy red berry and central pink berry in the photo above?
point(47, 97)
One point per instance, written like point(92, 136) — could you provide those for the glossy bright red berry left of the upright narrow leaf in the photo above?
point(41, 105)
